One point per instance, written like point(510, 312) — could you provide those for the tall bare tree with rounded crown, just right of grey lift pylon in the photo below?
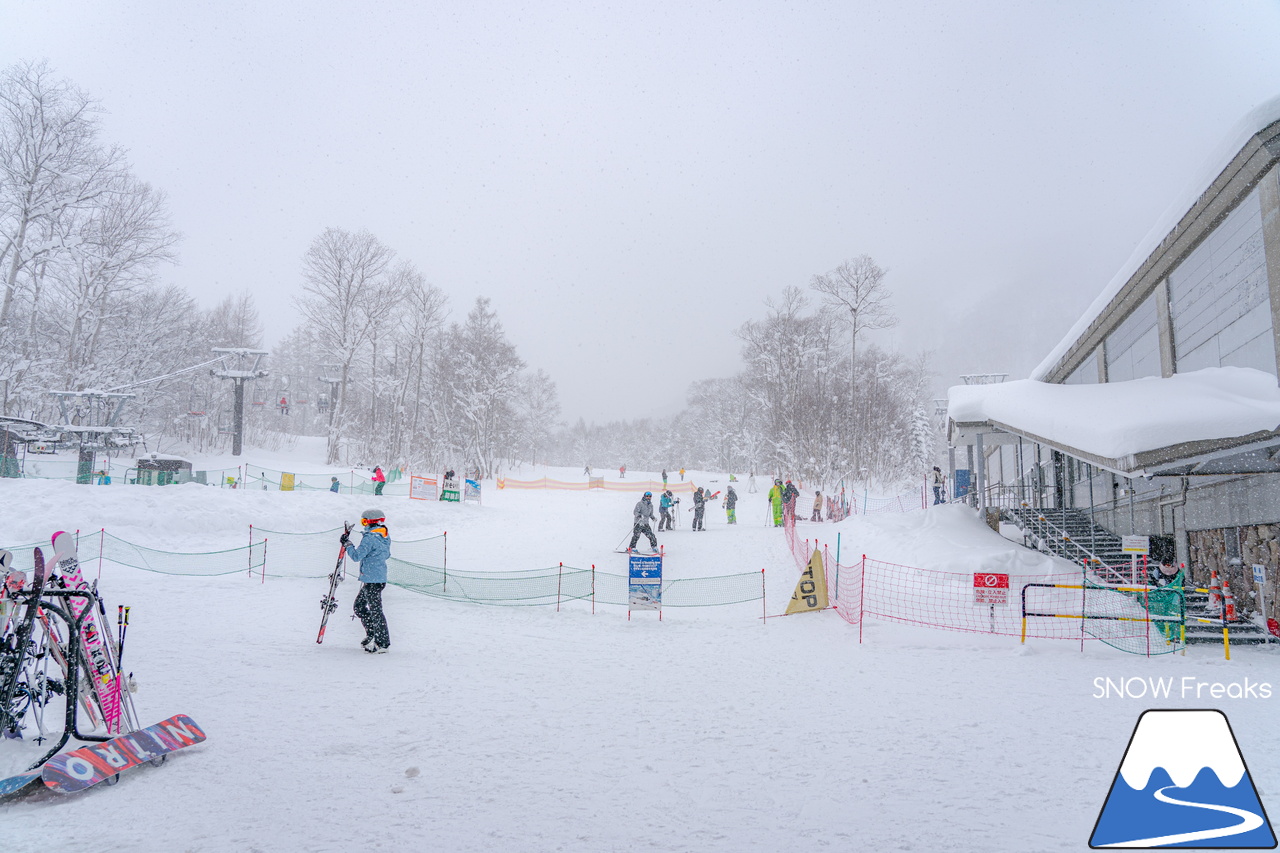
point(349, 295)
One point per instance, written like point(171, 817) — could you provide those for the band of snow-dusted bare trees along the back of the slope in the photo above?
point(85, 245)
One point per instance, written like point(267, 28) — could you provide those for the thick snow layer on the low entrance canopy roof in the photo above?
point(1119, 419)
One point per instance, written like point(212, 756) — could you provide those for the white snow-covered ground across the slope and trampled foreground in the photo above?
point(528, 729)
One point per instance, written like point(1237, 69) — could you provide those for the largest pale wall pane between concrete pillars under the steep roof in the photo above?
point(1220, 299)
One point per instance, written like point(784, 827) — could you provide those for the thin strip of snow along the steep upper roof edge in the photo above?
point(1222, 157)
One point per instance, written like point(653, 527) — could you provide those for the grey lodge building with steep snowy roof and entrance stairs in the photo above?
point(1159, 414)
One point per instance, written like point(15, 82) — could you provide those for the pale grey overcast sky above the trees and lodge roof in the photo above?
point(629, 183)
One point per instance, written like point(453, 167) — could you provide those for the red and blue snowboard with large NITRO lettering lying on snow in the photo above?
point(80, 769)
